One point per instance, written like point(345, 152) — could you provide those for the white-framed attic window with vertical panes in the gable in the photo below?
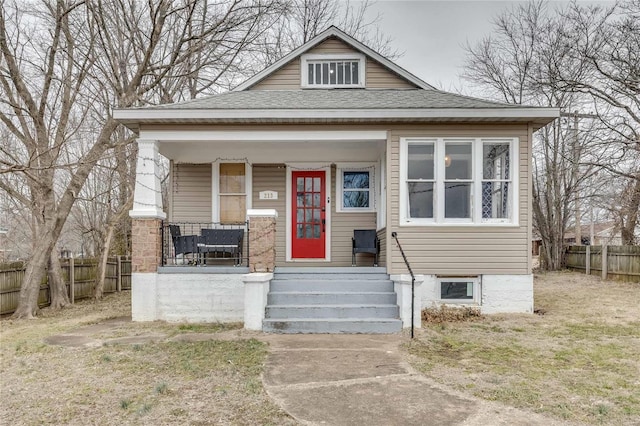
point(324, 71)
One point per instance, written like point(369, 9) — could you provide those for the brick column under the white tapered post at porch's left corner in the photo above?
point(146, 244)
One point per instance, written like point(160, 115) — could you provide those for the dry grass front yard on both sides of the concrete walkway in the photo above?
point(577, 359)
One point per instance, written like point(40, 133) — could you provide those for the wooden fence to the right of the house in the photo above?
point(621, 262)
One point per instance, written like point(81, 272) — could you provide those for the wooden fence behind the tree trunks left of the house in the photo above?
point(79, 276)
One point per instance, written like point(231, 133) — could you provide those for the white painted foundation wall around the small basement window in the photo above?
point(498, 293)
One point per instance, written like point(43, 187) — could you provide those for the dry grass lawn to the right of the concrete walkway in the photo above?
point(577, 360)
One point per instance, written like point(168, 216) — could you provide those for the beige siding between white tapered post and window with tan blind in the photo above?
point(190, 193)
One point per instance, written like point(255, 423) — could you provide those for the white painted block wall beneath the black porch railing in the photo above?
point(188, 297)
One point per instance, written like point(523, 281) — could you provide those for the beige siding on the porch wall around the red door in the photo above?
point(273, 178)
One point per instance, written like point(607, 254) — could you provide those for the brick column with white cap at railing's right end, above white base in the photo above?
point(262, 240)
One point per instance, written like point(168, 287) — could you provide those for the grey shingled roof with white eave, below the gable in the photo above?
point(336, 106)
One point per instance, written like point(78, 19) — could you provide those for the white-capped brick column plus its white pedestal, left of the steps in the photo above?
point(262, 262)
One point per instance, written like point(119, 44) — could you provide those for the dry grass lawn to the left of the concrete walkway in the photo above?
point(159, 381)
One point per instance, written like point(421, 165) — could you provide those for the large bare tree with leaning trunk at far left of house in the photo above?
point(65, 63)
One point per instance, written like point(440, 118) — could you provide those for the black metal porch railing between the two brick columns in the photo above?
point(205, 244)
